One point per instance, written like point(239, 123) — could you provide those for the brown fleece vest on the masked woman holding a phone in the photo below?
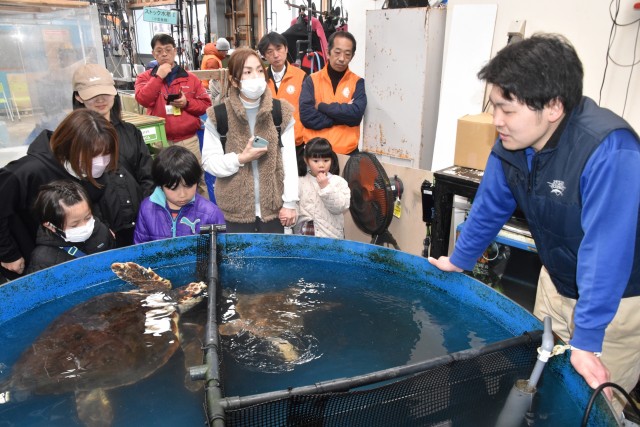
point(235, 194)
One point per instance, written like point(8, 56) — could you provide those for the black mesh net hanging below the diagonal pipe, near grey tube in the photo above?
point(470, 388)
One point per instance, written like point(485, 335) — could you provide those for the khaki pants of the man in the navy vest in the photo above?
point(621, 346)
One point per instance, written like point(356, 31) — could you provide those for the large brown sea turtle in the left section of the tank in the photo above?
point(111, 340)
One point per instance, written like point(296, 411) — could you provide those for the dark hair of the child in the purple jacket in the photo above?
point(175, 165)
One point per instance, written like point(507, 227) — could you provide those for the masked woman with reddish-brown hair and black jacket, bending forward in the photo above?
point(81, 149)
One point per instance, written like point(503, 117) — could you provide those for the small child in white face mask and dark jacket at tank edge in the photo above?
point(68, 229)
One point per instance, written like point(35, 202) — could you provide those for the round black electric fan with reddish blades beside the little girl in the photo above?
point(372, 196)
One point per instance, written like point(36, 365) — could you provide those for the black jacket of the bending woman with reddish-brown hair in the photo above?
point(20, 183)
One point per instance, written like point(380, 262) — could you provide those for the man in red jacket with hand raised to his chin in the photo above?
point(169, 91)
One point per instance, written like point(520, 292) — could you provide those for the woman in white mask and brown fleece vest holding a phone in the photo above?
point(256, 187)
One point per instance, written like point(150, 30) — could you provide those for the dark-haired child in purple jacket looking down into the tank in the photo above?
point(174, 209)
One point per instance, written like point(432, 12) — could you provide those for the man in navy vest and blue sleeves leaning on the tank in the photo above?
point(572, 168)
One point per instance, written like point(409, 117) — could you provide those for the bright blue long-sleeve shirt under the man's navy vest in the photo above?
point(610, 194)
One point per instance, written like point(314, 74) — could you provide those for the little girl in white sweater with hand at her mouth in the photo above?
point(324, 194)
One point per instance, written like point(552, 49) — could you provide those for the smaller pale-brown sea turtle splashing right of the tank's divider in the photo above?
point(275, 317)
